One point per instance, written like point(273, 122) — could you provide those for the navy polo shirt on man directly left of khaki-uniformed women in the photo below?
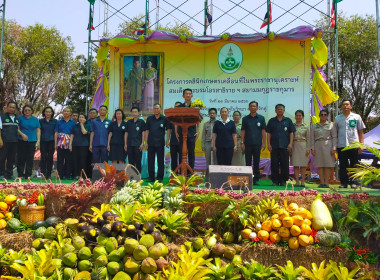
point(280, 132)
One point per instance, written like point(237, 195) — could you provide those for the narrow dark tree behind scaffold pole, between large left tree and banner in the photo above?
point(76, 99)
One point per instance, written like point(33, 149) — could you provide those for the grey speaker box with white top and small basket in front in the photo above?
point(238, 177)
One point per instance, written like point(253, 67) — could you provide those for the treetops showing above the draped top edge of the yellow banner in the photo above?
point(128, 27)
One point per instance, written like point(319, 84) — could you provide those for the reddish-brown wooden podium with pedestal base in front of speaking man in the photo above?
point(184, 117)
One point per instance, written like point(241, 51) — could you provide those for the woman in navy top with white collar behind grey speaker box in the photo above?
point(224, 139)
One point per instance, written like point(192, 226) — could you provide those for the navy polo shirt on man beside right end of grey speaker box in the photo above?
point(253, 127)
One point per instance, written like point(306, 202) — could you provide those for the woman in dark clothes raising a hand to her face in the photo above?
point(79, 144)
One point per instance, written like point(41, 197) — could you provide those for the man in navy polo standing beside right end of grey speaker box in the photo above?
point(253, 139)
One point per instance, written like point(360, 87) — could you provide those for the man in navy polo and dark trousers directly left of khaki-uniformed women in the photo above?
point(280, 134)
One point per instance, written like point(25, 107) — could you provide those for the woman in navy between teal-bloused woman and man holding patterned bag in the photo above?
point(47, 146)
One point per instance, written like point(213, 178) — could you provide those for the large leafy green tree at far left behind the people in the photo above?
point(37, 66)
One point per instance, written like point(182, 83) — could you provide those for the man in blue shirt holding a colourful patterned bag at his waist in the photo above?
point(62, 144)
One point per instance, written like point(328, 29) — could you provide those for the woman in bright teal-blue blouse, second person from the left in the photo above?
point(30, 126)
